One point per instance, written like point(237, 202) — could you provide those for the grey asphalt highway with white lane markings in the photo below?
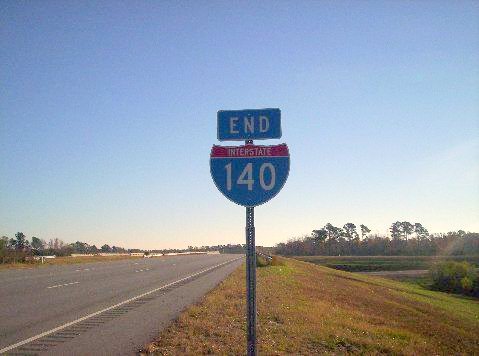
point(106, 308)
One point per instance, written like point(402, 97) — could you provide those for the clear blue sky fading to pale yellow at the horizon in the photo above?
point(108, 115)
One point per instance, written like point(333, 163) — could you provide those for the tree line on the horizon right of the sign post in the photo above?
point(406, 239)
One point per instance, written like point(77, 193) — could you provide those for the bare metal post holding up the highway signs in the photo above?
point(251, 279)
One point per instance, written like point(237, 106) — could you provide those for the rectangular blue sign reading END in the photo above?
point(241, 125)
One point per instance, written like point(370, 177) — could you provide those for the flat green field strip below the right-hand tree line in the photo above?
point(383, 263)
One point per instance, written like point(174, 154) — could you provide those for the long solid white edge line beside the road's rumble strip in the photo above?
point(54, 330)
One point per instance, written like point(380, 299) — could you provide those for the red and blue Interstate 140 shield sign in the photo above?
point(249, 175)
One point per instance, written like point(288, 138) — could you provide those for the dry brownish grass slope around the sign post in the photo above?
point(308, 309)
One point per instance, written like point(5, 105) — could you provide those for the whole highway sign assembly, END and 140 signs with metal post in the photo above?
point(249, 175)
